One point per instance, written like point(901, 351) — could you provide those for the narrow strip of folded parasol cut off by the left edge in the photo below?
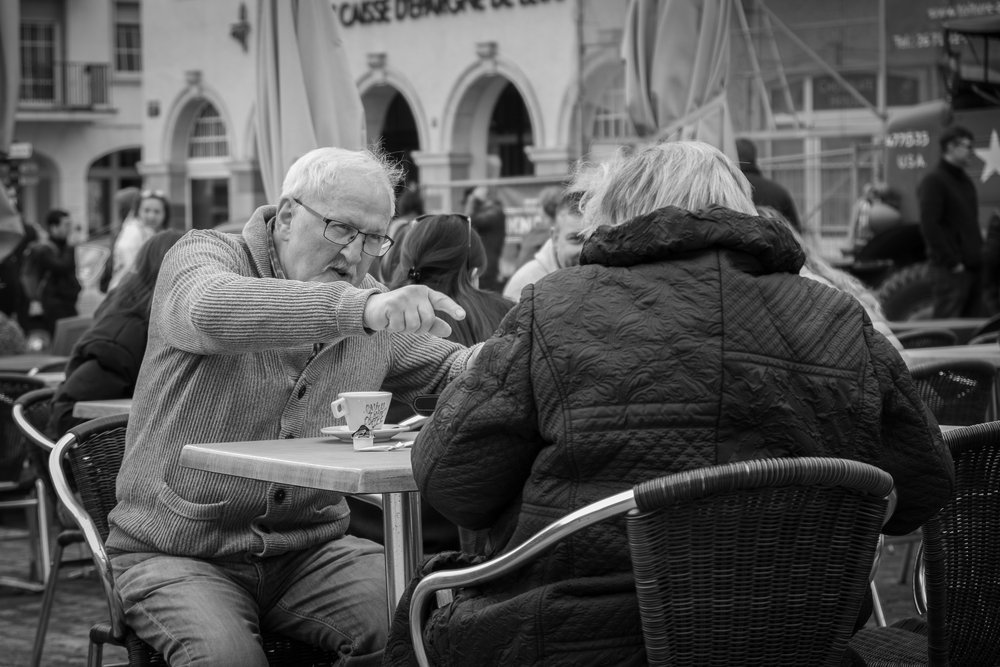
point(11, 228)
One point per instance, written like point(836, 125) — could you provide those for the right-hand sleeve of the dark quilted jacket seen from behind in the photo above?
point(913, 451)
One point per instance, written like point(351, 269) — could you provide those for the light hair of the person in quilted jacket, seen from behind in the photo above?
point(691, 175)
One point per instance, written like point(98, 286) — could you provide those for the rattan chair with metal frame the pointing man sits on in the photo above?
point(90, 455)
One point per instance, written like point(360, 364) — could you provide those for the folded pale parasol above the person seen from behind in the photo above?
point(676, 56)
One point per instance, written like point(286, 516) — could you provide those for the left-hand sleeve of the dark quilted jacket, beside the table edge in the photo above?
point(472, 458)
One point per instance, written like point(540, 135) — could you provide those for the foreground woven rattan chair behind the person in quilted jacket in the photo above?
point(761, 562)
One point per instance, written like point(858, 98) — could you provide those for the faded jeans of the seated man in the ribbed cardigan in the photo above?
point(198, 612)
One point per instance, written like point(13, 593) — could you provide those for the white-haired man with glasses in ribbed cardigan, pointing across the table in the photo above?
point(251, 338)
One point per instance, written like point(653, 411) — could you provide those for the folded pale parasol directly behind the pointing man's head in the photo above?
point(306, 96)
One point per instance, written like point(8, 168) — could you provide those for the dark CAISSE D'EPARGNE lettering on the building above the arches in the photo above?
point(369, 12)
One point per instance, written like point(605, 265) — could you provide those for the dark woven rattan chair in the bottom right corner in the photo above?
point(958, 596)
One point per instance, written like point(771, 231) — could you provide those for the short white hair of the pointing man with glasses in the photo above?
point(317, 172)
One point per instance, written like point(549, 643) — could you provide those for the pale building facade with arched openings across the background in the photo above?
point(511, 93)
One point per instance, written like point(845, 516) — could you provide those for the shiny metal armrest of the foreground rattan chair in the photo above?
point(510, 561)
